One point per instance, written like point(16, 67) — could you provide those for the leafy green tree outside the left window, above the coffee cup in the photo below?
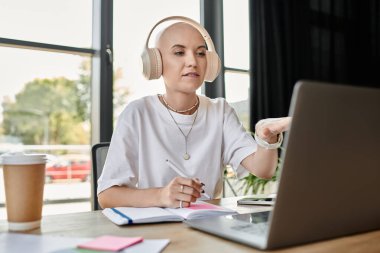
point(47, 107)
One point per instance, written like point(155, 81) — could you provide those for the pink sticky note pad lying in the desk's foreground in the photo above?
point(110, 243)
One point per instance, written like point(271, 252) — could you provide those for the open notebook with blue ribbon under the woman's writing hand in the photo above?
point(133, 215)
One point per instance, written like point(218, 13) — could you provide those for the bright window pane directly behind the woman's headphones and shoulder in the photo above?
point(132, 22)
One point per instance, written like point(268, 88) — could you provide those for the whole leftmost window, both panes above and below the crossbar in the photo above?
point(45, 94)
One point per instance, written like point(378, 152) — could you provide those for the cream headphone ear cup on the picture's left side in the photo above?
point(152, 63)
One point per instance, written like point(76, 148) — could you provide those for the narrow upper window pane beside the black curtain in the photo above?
point(236, 34)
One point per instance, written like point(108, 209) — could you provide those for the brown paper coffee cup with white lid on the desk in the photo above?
point(24, 180)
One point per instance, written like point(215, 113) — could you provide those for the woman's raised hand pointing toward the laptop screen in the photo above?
point(269, 129)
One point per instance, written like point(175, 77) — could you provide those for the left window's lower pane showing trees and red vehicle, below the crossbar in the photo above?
point(45, 107)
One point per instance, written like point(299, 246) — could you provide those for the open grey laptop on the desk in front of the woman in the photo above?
point(329, 183)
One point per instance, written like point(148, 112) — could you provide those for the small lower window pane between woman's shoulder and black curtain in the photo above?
point(237, 94)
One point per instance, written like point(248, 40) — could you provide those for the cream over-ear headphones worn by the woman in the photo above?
point(151, 57)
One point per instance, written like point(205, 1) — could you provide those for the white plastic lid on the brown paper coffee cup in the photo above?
point(21, 159)
